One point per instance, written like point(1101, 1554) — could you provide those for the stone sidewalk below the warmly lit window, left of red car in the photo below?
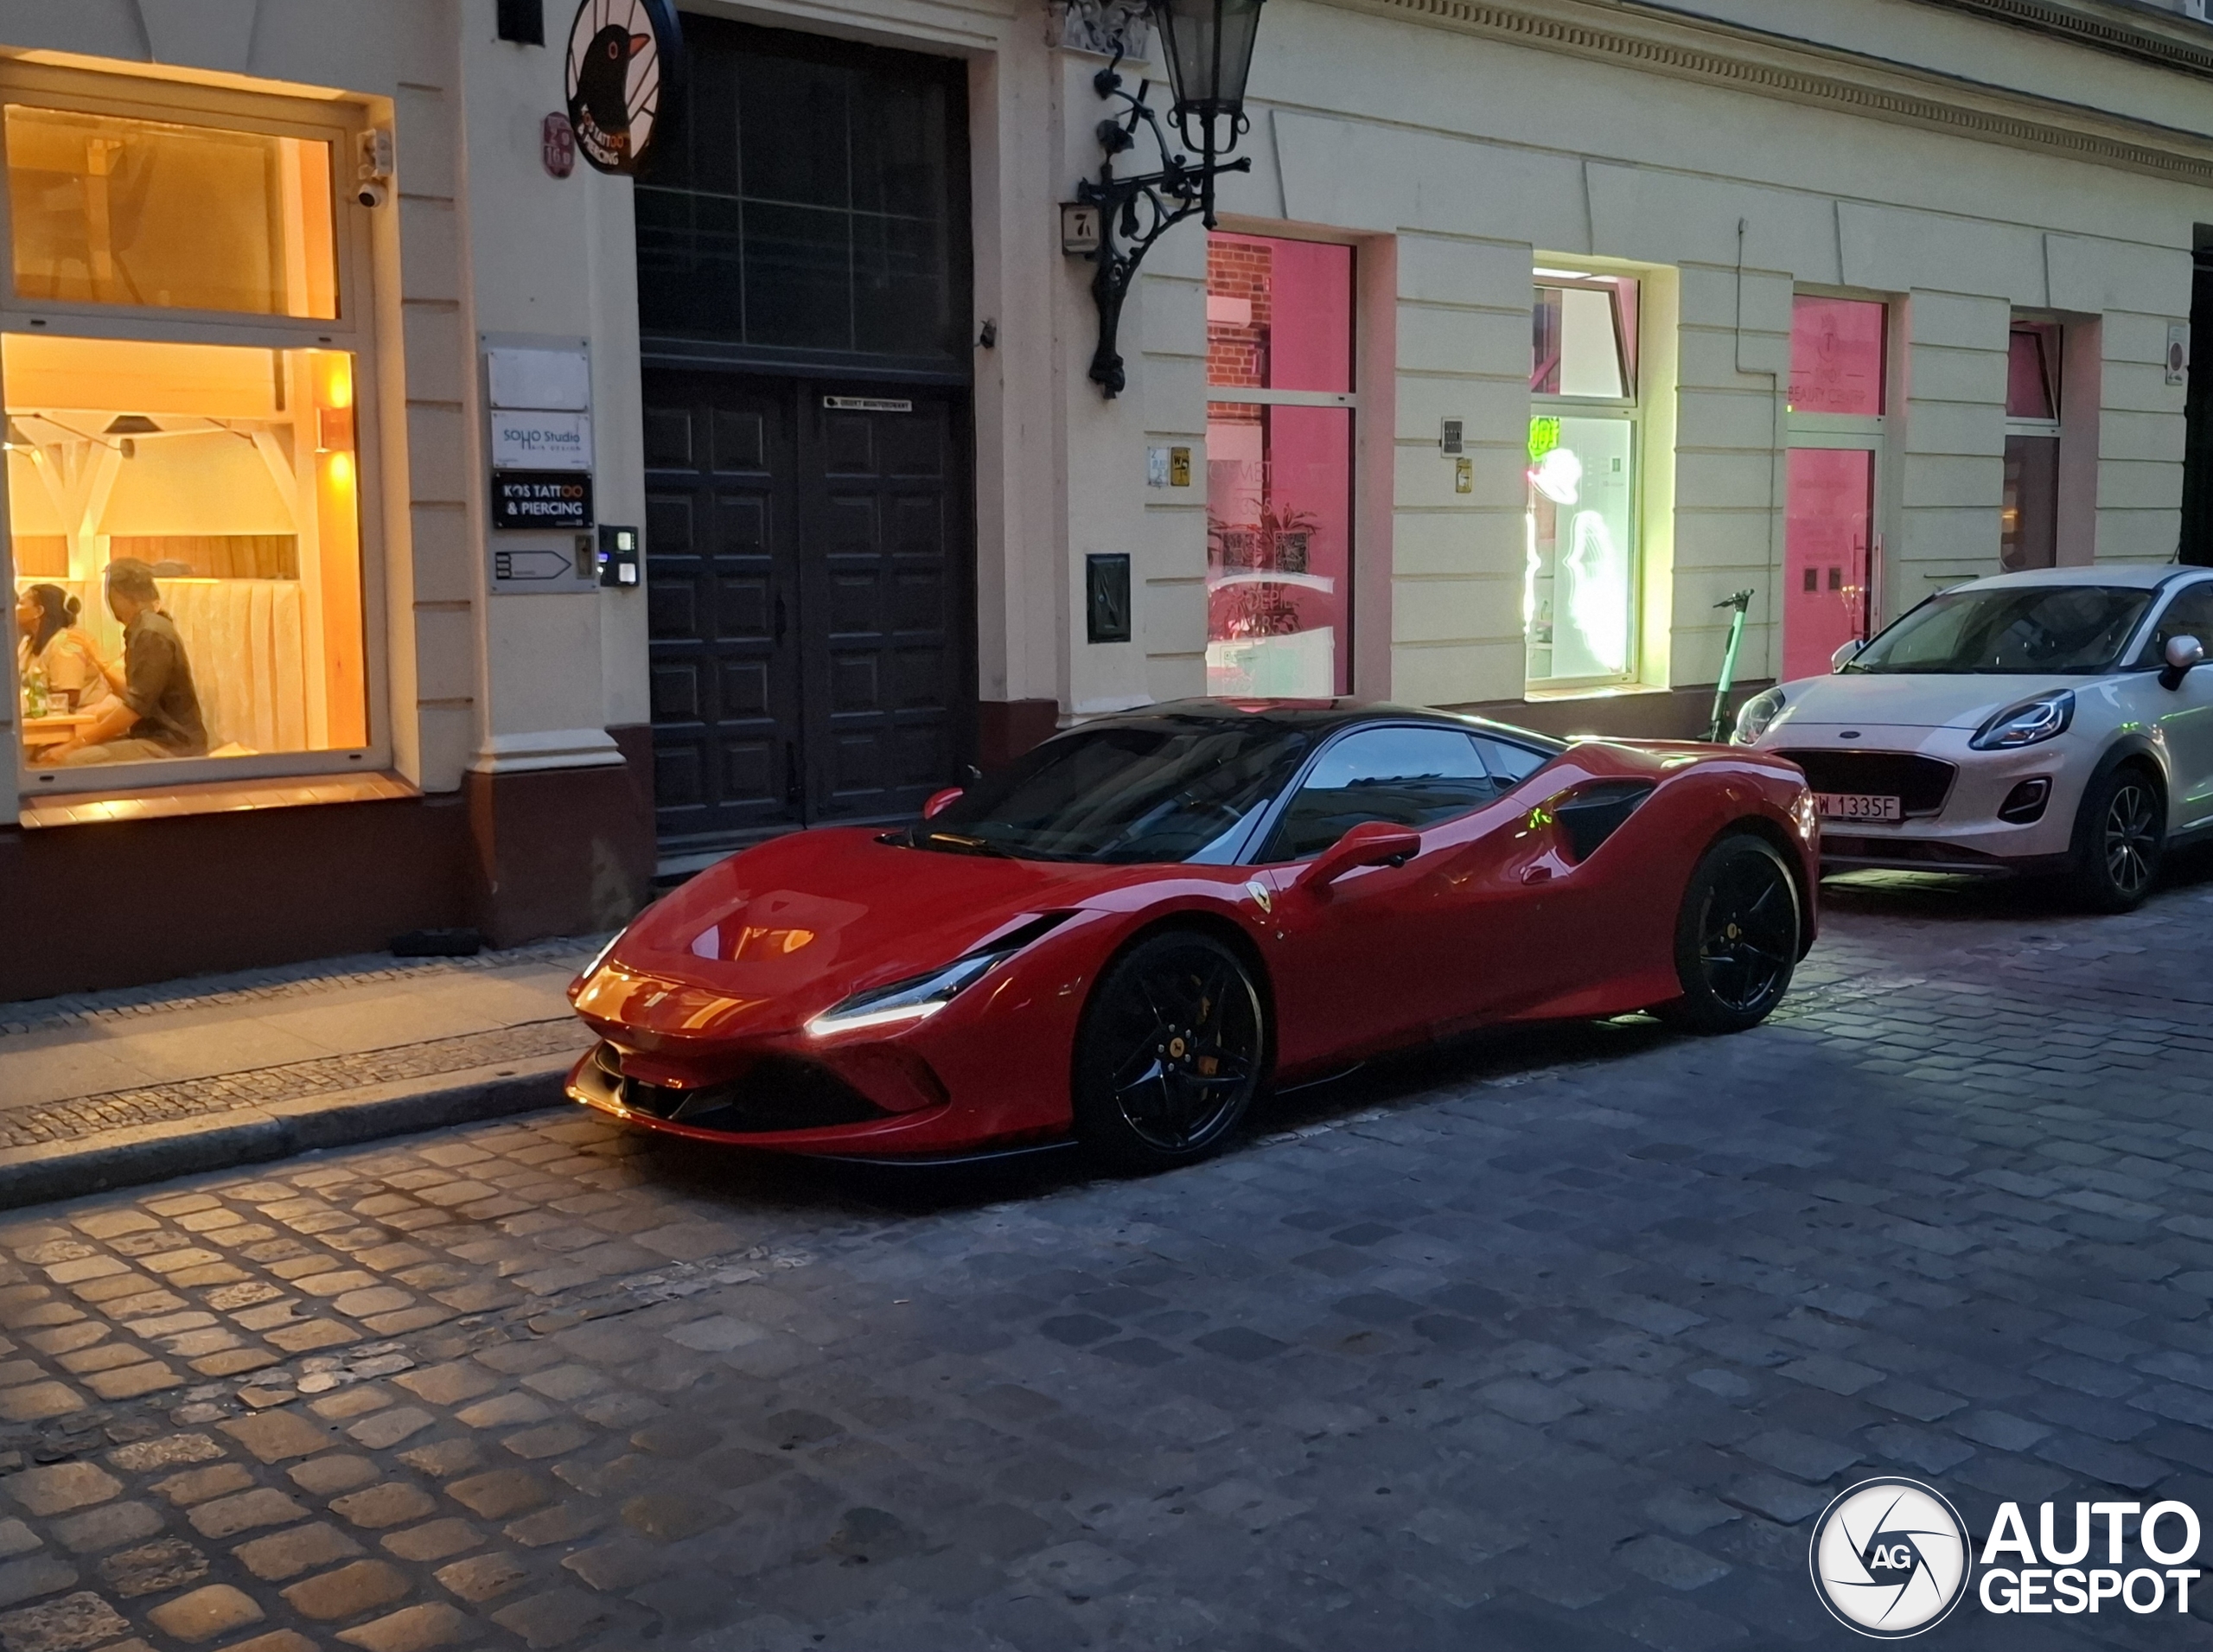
point(222, 1044)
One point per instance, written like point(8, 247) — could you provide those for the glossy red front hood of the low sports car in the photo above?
point(780, 933)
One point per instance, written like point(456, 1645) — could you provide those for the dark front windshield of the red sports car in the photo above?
point(1159, 792)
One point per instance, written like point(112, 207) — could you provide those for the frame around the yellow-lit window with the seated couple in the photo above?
point(353, 333)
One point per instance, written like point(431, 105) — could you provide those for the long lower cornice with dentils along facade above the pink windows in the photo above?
point(1721, 54)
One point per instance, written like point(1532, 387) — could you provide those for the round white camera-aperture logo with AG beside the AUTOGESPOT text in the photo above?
point(1891, 1558)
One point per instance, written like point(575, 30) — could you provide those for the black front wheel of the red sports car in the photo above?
point(1172, 1053)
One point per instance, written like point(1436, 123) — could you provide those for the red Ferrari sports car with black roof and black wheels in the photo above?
point(1147, 920)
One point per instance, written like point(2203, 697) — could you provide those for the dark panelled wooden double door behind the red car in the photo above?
point(809, 570)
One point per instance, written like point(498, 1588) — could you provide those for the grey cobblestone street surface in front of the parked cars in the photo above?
point(1548, 1341)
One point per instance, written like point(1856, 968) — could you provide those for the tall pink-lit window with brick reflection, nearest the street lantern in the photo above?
point(1278, 468)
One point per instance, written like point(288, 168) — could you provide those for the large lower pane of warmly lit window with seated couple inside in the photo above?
point(225, 477)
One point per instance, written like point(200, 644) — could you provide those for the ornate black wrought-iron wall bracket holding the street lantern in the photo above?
point(1143, 207)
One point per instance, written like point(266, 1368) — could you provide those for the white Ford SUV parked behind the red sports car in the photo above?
point(2030, 723)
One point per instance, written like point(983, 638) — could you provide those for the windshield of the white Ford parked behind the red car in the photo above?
point(2013, 630)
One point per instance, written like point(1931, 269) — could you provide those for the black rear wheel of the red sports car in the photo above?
point(1738, 938)
